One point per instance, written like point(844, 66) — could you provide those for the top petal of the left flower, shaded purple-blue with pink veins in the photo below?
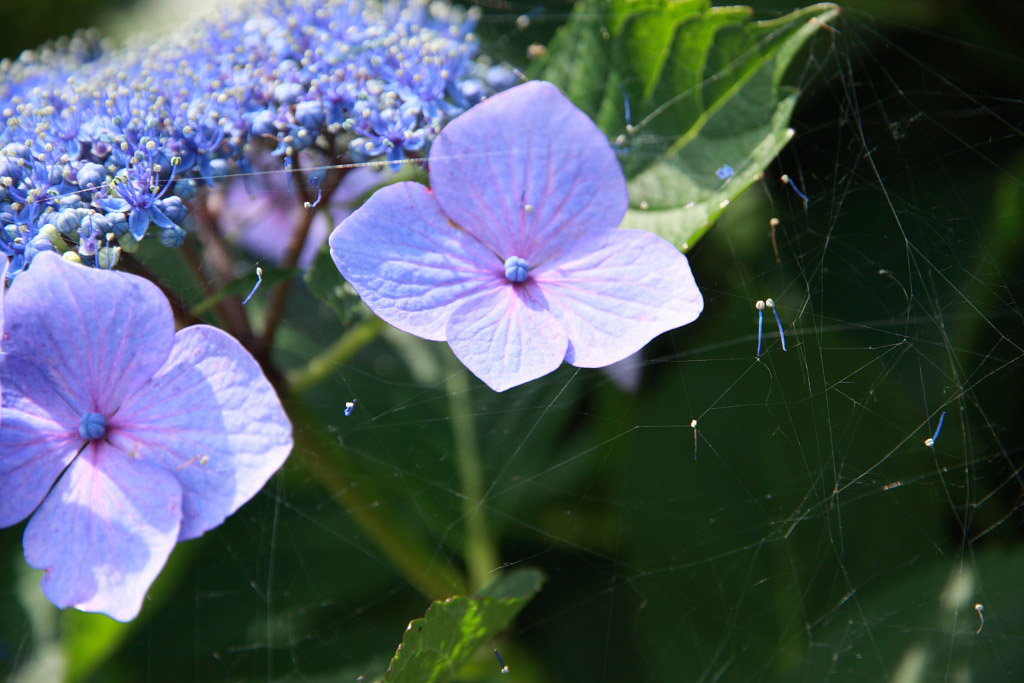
point(97, 336)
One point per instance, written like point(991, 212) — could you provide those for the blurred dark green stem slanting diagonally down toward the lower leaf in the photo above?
point(404, 546)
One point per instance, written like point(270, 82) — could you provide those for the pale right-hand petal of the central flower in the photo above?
point(616, 291)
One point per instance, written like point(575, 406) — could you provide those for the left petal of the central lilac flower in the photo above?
point(409, 264)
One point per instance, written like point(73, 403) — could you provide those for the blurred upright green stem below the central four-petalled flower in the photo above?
point(480, 550)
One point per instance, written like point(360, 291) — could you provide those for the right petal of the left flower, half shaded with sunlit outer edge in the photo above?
point(214, 421)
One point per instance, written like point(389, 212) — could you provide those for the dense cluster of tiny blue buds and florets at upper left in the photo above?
point(101, 146)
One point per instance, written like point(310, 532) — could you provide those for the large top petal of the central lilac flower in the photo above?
point(528, 146)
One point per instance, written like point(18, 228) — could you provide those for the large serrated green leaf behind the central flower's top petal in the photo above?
point(706, 89)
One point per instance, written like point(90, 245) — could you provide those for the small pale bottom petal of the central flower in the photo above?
point(507, 336)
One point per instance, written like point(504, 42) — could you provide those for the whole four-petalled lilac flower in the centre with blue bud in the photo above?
point(515, 257)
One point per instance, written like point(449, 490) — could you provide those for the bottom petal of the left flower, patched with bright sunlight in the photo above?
point(105, 532)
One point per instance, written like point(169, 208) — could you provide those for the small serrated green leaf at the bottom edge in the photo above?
point(438, 646)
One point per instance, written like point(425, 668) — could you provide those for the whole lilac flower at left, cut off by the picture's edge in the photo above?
point(120, 438)
